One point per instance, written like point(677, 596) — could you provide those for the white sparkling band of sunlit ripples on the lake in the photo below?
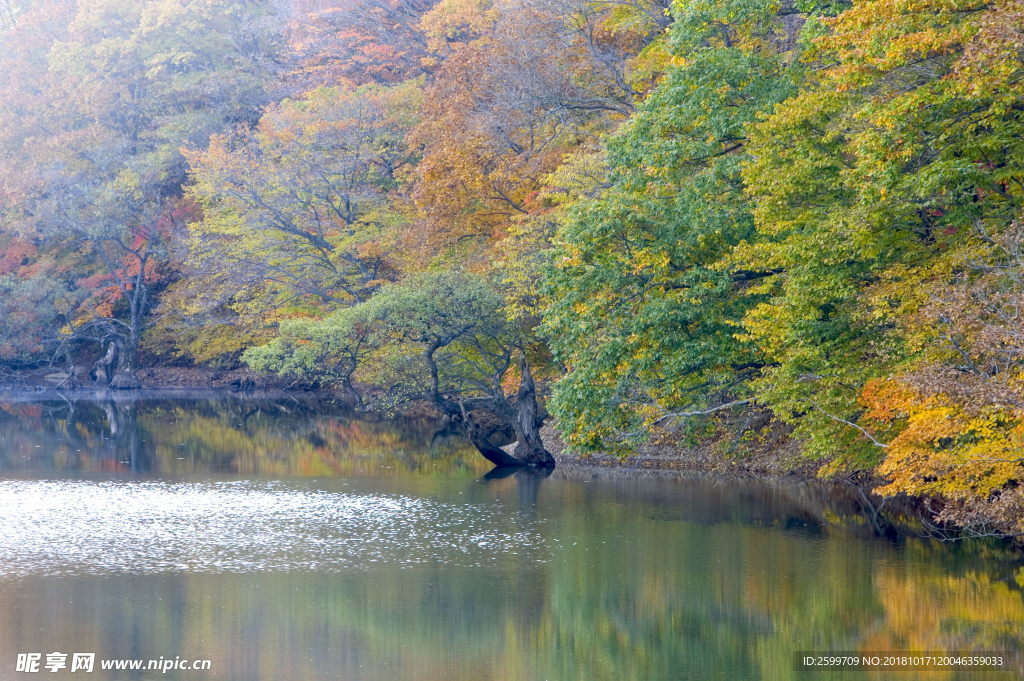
point(63, 528)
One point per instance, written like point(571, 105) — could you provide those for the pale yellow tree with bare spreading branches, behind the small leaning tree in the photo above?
point(296, 214)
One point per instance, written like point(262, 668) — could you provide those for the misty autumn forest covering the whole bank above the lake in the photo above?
point(646, 221)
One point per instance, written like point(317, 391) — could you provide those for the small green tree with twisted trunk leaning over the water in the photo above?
point(441, 337)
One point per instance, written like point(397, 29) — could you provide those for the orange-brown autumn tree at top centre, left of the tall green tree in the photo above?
point(520, 86)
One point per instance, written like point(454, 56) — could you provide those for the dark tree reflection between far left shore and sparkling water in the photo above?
point(187, 437)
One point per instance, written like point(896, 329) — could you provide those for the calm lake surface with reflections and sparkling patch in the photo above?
point(286, 542)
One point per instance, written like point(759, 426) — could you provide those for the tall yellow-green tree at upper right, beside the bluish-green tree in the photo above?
point(874, 188)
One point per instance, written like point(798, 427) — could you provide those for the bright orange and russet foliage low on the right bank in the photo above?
point(959, 410)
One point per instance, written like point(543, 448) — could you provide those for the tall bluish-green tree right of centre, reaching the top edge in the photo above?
point(643, 308)
